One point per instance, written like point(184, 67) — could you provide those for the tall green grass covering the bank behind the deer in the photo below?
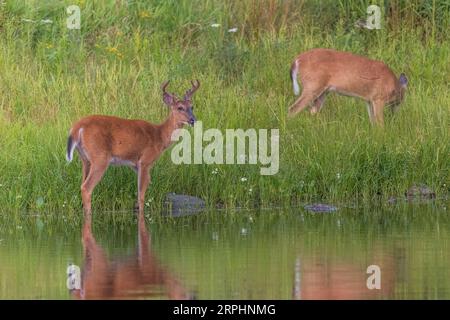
point(51, 76)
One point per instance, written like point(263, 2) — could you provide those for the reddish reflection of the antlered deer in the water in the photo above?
point(139, 276)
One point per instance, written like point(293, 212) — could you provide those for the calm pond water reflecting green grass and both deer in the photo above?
point(243, 255)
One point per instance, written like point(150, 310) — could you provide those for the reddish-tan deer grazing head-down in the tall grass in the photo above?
point(325, 70)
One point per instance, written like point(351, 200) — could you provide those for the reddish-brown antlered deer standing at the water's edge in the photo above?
point(104, 140)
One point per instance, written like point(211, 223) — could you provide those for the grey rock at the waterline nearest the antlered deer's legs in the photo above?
point(178, 205)
